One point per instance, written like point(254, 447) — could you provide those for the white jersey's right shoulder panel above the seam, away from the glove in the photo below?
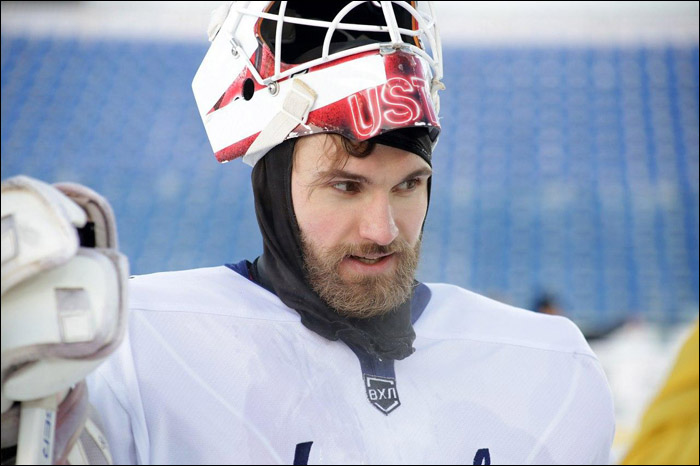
point(456, 313)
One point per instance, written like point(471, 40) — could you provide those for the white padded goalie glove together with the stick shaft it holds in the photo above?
point(63, 312)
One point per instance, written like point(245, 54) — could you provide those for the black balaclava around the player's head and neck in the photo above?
point(280, 269)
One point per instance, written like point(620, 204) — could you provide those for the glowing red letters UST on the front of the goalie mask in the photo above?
point(396, 105)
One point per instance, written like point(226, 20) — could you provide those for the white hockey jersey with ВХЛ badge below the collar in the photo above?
point(215, 369)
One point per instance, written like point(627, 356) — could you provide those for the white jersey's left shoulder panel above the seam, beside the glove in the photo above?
point(210, 290)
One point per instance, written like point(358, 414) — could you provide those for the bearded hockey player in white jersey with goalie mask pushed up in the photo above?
point(325, 349)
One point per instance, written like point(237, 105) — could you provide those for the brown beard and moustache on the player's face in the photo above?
point(357, 295)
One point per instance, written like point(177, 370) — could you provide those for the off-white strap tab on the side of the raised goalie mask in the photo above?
point(295, 110)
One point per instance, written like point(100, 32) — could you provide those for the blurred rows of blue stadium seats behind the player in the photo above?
point(567, 170)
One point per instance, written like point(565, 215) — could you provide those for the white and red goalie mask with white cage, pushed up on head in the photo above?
point(279, 70)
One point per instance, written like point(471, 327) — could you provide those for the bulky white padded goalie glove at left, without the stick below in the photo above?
point(63, 306)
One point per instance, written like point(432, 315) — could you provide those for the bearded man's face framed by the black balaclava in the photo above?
point(360, 223)
